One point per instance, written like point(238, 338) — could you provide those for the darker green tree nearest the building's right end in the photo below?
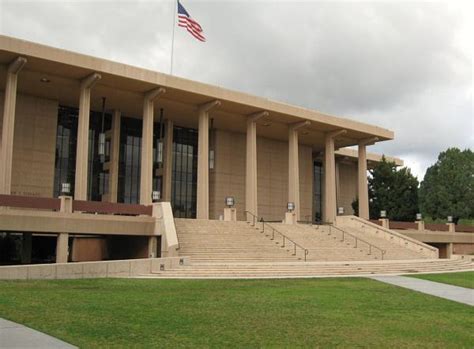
point(392, 190)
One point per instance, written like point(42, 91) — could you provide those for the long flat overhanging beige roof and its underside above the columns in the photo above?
point(124, 86)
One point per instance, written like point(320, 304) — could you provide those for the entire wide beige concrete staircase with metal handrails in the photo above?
point(220, 249)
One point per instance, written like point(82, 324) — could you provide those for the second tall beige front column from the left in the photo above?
point(82, 152)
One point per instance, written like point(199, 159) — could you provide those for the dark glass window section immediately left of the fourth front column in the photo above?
point(184, 174)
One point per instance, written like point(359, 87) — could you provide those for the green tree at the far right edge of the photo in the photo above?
point(448, 186)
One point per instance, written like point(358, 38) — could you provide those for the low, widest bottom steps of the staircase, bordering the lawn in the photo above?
point(311, 269)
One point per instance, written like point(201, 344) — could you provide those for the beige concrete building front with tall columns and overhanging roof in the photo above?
point(117, 134)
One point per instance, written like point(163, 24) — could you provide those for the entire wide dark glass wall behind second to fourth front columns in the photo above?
point(184, 171)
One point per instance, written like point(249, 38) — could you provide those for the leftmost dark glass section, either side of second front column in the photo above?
point(66, 143)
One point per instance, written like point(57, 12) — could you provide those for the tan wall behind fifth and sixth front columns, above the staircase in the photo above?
point(228, 176)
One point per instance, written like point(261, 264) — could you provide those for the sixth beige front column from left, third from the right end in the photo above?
point(294, 167)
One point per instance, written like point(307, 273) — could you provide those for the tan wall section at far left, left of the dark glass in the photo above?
point(34, 145)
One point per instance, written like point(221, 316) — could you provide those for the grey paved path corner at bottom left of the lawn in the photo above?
point(13, 335)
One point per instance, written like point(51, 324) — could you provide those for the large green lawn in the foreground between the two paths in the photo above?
point(237, 313)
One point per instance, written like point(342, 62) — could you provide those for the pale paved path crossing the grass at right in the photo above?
point(454, 293)
